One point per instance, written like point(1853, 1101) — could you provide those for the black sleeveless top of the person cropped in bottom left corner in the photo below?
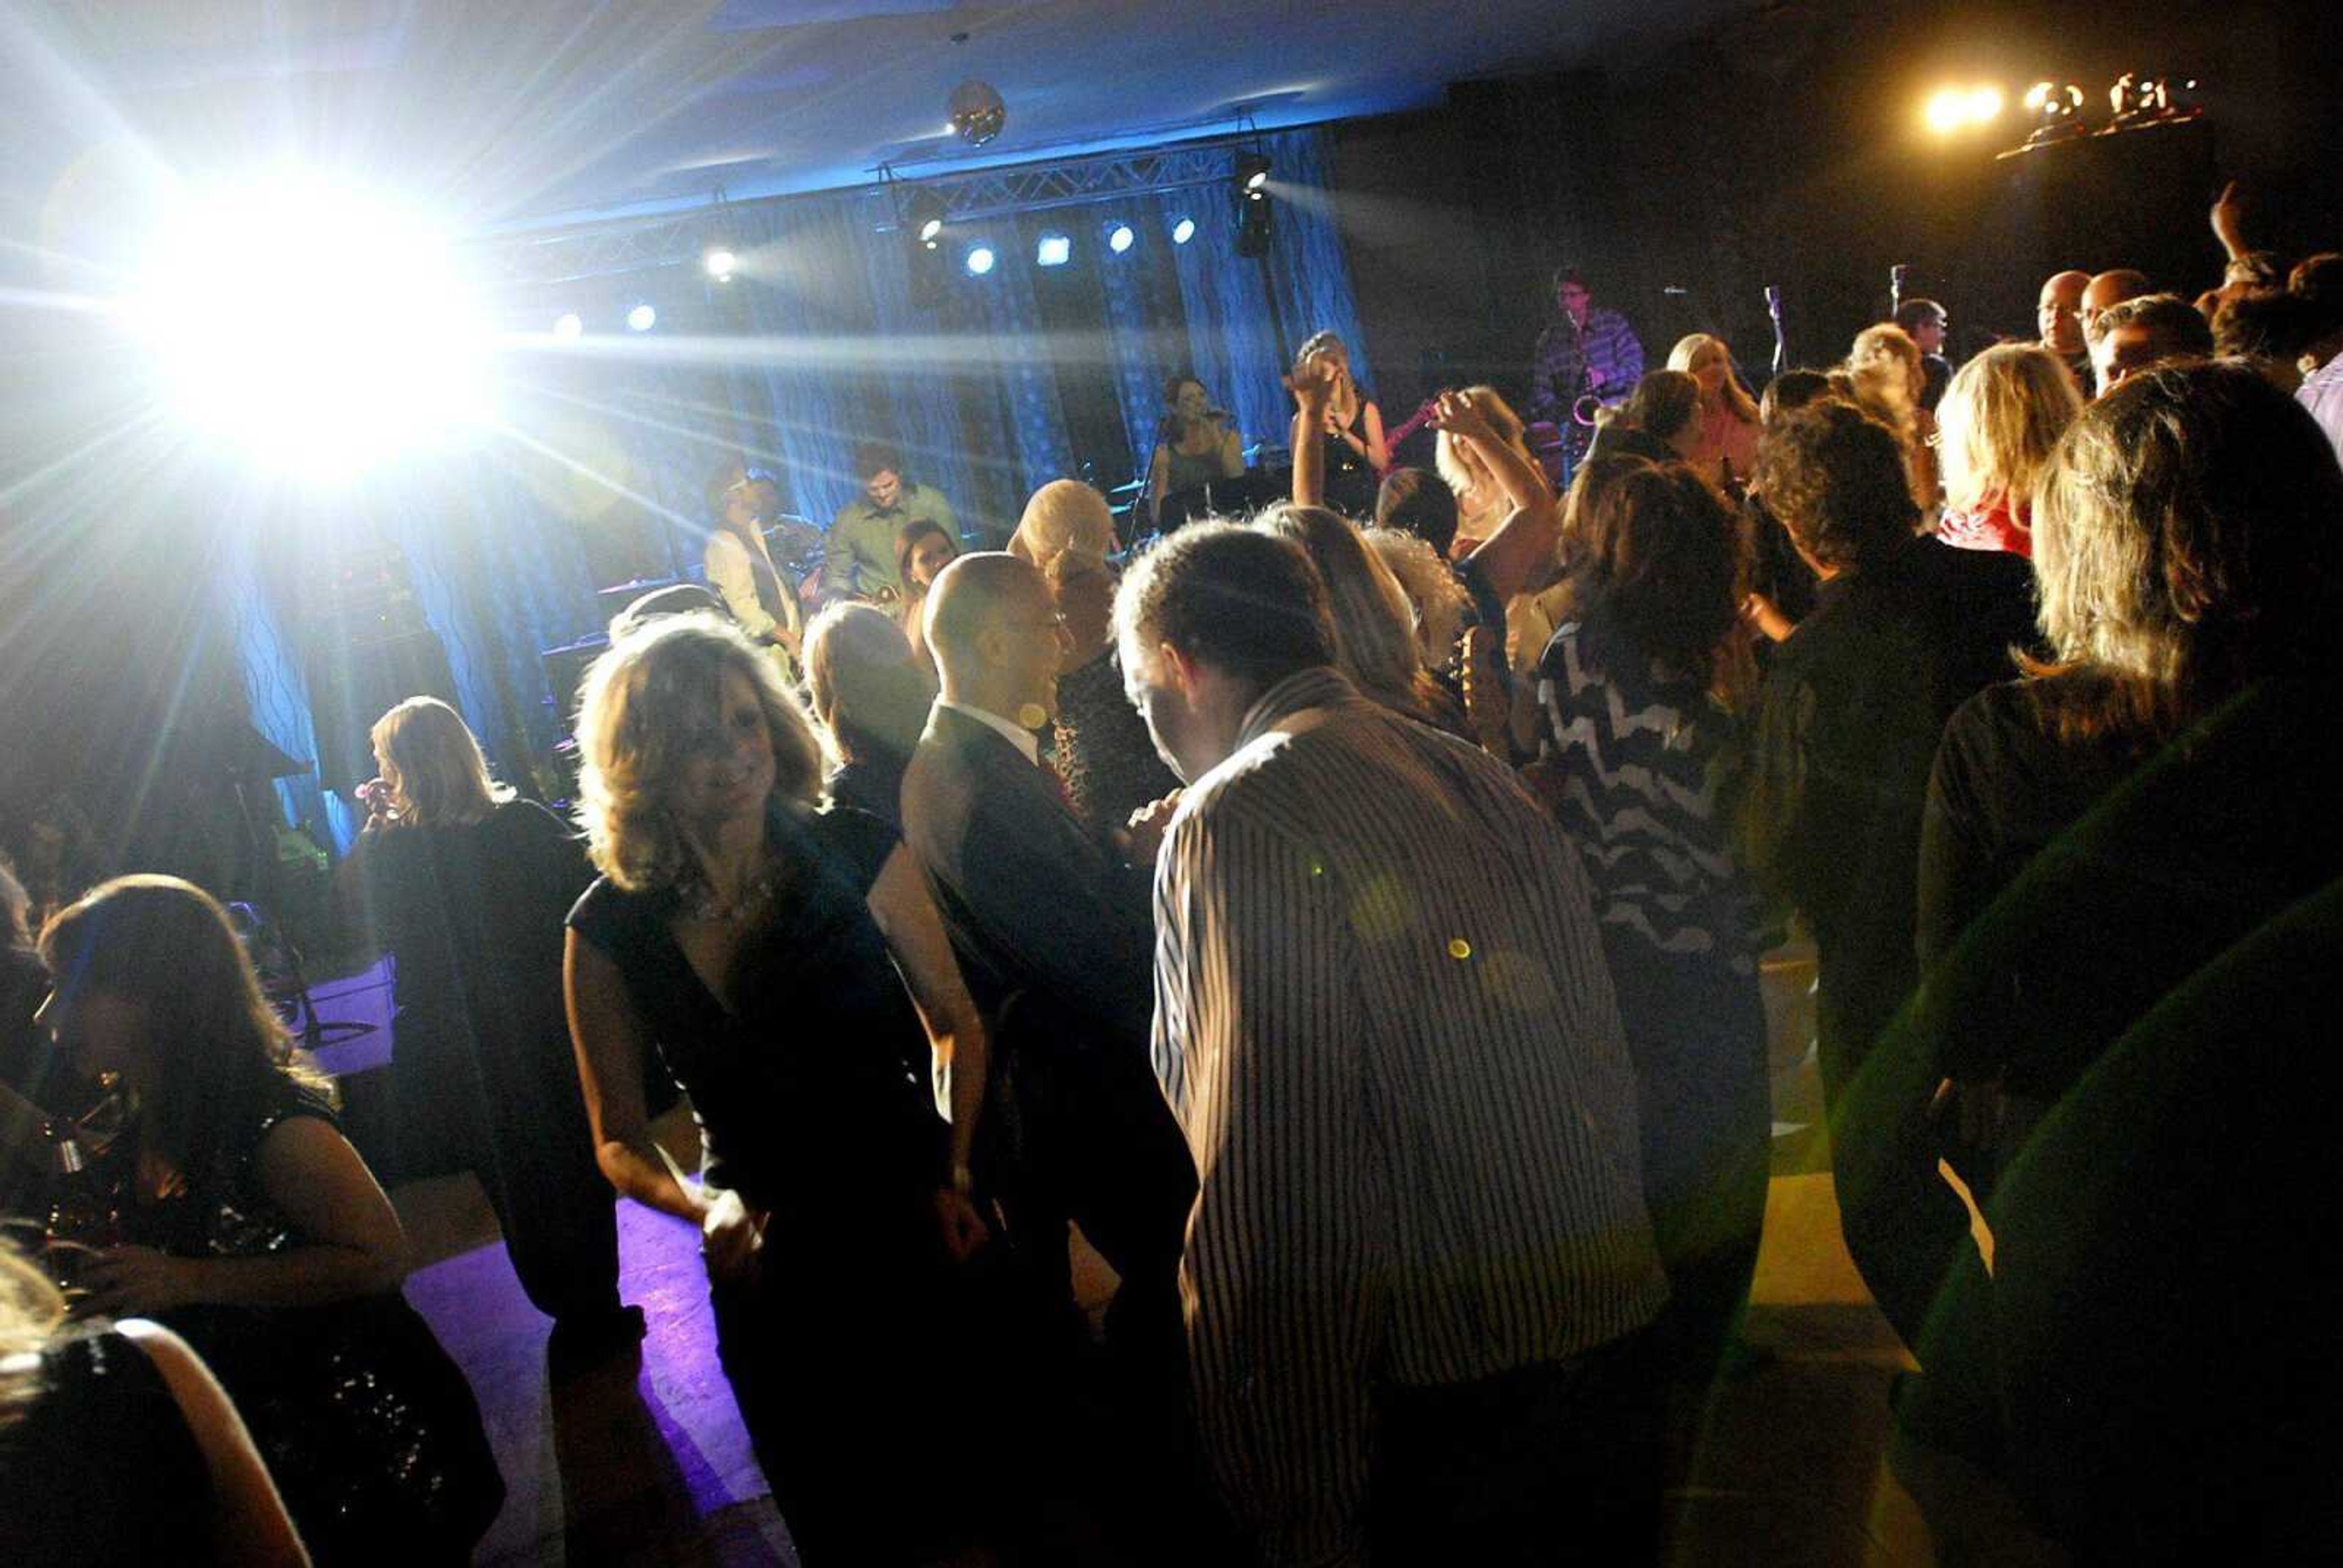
point(100, 1466)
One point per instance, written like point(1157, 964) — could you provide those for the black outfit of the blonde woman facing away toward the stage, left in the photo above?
point(484, 1068)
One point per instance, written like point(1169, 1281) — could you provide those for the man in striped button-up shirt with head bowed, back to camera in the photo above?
point(1419, 1269)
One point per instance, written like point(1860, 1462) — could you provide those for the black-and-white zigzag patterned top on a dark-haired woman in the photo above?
point(1632, 765)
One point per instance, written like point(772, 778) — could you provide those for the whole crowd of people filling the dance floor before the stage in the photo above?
point(1348, 920)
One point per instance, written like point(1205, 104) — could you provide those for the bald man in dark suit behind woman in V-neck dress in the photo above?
point(1058, 943)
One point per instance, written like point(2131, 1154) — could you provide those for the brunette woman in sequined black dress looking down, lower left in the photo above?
point(254, 1229)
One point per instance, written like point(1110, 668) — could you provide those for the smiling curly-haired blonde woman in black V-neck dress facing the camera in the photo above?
point(765, 948)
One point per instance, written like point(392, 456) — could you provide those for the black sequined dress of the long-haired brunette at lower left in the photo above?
point(364, 1422)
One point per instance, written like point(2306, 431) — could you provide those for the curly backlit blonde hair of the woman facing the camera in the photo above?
point(643, 709)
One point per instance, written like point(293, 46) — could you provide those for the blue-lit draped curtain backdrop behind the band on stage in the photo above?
point(599, 465)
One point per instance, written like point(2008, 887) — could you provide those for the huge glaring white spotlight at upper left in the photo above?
point(310, 327)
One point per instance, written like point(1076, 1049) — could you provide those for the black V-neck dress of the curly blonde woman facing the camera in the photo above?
point(812, 1103)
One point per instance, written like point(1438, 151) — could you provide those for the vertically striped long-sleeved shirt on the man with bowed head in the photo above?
point(1386, 1025)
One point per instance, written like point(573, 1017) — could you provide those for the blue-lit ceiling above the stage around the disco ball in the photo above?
point(528, 111)
